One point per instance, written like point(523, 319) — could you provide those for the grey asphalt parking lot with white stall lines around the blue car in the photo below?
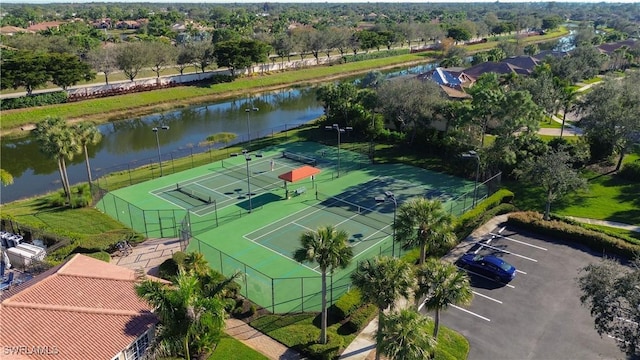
point(538, 315)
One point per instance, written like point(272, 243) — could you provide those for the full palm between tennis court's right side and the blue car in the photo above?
point(425, 223)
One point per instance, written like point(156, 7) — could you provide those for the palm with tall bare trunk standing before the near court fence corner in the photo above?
point(328, 247)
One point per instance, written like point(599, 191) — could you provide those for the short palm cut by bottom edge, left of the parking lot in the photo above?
point(406, 336)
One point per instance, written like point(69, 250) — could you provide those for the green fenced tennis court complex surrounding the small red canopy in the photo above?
point(239, 215)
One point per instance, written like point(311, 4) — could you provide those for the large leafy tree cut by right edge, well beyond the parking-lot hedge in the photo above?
point(610, 116)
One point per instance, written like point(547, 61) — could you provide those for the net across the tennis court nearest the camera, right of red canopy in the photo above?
point(366, 216)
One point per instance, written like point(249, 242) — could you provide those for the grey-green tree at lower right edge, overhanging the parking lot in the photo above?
point(611, 294)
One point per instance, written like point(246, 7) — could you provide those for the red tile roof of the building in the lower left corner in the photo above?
point(85, 309)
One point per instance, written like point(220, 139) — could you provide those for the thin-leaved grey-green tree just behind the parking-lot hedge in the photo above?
point(554, 173)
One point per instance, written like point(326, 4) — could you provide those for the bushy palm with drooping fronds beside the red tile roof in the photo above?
point(190, 323)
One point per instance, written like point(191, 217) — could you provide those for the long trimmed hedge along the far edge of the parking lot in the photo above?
point(597, 241)
